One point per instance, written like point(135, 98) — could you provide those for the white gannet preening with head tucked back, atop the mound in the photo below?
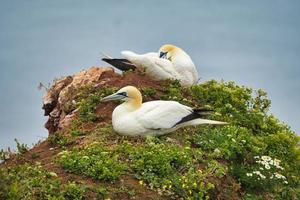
point(170, 62)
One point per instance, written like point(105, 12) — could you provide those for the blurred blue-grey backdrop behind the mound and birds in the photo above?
point(255, 43)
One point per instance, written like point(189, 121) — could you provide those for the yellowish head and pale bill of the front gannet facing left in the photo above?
point(129, 94)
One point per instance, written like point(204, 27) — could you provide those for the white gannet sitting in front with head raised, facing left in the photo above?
point(154, 117)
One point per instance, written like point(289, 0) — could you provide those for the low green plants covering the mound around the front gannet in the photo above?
point(255, 157)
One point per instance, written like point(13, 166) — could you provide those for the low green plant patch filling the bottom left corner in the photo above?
point(28, 182)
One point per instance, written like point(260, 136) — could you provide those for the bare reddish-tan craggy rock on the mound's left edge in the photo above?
point(57, 96)
